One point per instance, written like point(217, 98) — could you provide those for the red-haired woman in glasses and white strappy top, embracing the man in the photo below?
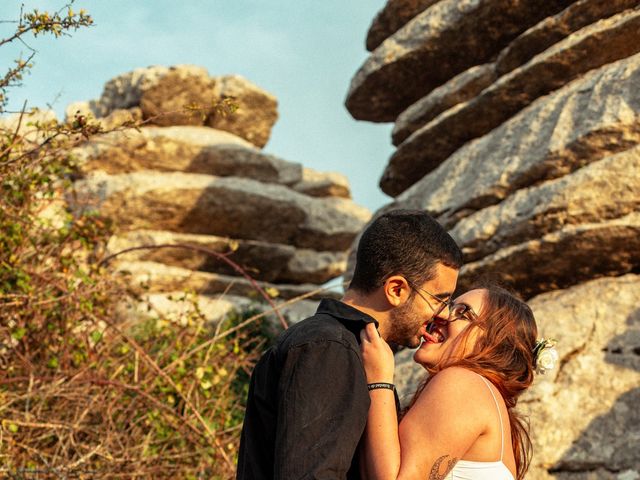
point(461, 423)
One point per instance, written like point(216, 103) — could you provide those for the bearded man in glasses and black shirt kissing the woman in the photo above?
point(308, 398)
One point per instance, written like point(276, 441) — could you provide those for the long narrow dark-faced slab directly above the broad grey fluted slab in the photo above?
point(594, 46)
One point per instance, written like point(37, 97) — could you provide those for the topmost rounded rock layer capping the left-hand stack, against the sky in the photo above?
point(187, 95)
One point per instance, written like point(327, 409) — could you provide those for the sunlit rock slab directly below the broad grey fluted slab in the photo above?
point(584, 196)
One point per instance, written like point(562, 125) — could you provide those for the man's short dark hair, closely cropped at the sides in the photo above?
point(402, 242)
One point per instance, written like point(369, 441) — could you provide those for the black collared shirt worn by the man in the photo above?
point(308, 401)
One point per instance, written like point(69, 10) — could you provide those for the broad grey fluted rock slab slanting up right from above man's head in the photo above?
point(585, 121)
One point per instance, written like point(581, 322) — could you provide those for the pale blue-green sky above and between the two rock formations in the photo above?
point(304, 52)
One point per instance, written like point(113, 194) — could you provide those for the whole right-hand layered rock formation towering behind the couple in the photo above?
point(524, 141)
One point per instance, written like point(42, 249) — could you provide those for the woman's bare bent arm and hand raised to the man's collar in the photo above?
point(443, 424)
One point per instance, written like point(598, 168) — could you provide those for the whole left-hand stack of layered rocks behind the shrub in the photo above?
point(194, 180)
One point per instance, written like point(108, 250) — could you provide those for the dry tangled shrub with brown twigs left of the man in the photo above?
point(82, 394)
